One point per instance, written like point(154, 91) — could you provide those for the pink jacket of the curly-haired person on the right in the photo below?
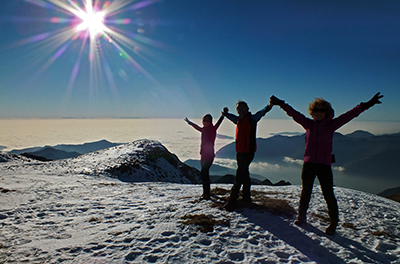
point(319, 135)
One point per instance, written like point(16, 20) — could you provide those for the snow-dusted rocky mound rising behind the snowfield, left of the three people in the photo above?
point(139, 161)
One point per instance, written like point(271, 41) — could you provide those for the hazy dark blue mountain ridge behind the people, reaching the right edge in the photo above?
point(359, 153)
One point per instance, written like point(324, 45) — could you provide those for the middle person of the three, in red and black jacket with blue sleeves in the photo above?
point(245, 142)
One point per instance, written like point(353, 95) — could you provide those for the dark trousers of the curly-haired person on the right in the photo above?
point(325, 178)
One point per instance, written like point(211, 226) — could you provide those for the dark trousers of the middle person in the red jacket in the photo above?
point(242, 176)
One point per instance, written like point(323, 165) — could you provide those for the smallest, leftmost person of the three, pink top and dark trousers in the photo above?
point(207, 153)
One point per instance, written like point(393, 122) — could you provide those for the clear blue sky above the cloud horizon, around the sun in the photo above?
point(177, 58)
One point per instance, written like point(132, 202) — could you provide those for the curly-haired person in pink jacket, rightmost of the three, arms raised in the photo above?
point(318, 148)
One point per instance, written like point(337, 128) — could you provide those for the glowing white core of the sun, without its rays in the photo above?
point(92, 21)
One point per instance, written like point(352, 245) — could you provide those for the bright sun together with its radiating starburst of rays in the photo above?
point(93, 28)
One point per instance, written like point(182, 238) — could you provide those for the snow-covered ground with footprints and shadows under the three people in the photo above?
point(52, 214)
